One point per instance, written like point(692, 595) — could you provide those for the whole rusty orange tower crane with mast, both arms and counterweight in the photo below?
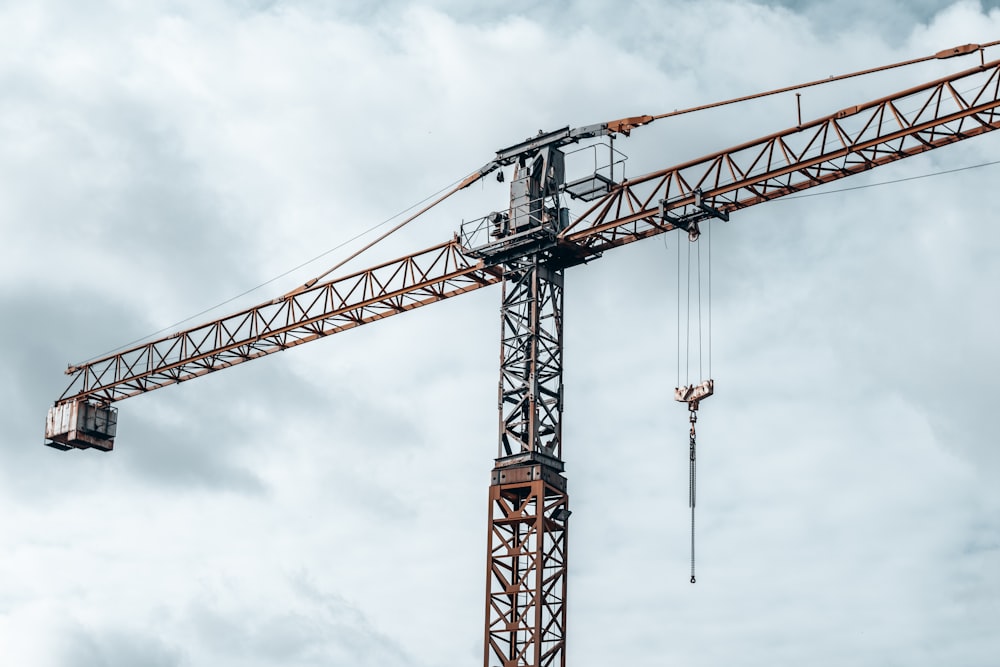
point(552, 223)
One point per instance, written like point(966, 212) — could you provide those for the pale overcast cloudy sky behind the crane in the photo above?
point(327, 506)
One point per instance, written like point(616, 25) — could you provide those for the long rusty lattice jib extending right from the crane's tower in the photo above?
point(851, 141)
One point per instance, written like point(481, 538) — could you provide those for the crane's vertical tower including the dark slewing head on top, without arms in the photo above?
point(528, 500)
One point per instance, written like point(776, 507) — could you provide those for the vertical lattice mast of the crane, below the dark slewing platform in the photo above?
point(529, 505)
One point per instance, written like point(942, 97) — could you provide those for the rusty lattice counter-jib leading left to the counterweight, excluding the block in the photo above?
point(301, 316)
